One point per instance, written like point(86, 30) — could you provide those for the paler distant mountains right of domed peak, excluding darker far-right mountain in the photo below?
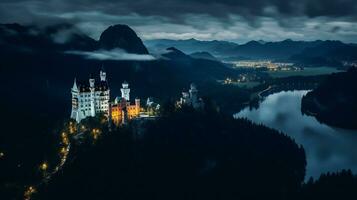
point(223, 49)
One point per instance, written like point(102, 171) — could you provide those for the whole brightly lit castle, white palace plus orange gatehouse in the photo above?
point(93, 97)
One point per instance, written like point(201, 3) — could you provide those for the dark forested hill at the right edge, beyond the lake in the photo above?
point(334, 101)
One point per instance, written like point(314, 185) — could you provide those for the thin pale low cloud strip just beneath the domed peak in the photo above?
point(115, 54)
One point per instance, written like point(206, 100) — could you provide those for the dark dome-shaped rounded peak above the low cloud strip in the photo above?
point(123, 37)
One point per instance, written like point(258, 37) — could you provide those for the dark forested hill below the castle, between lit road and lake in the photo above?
point(186, 154)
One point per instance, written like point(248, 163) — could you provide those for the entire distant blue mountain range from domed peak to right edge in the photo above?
point(317, 52)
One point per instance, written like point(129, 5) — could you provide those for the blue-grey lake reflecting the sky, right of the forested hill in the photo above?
point(328, 149)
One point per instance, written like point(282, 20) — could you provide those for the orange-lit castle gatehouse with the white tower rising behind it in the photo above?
point(121, 109)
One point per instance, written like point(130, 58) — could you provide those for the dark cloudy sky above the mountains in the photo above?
point(233, 20)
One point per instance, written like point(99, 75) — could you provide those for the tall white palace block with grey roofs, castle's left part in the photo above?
point(90, 98)
